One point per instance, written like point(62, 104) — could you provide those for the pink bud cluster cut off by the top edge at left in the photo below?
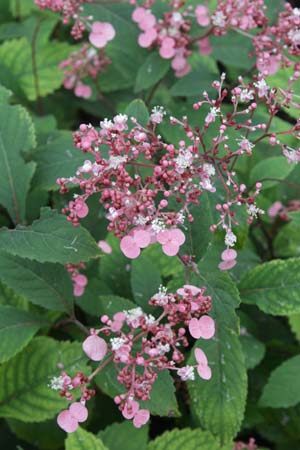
point(70, 10)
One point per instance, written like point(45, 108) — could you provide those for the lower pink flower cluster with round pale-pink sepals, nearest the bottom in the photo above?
point(140, 346)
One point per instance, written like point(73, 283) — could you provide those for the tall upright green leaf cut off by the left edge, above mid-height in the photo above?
point(16, 135)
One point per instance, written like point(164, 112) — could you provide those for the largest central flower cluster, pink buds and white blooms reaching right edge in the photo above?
point(147, 185)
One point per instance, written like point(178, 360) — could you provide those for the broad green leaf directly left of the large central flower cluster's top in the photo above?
point(58, 158)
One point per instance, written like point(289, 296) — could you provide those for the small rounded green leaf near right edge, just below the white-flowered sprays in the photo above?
point(274, 167)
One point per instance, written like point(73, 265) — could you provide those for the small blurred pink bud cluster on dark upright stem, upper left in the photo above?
point(83, 63)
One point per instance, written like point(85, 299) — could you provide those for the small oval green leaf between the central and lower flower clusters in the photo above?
point(143, 287)
